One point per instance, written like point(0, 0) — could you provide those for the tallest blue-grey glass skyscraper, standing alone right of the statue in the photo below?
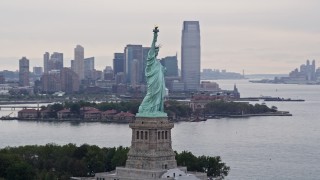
point(190, 55)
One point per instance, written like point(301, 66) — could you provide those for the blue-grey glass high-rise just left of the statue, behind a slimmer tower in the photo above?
point(133, 52)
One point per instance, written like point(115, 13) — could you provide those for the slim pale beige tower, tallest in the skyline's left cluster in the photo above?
point(79, 61)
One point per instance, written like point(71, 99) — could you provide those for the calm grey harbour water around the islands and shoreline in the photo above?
point(255, 148)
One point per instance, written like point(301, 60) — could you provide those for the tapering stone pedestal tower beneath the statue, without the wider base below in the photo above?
point(151, 145)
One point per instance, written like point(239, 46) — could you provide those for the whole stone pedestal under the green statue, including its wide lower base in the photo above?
point(151, 155)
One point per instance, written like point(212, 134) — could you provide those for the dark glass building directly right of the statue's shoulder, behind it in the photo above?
point(171, 64)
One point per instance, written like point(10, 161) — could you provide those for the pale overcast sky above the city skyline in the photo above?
point(257, 36)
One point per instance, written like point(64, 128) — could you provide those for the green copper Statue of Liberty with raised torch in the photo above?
point(152, 104)
